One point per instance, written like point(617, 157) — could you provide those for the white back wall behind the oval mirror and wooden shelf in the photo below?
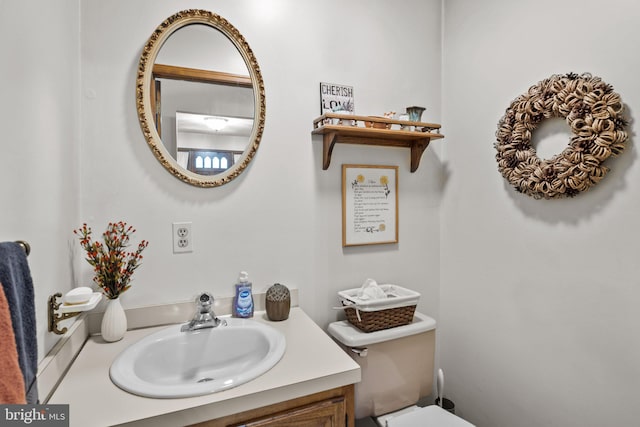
point(281, 219)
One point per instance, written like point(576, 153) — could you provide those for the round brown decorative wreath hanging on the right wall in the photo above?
point(595, 115)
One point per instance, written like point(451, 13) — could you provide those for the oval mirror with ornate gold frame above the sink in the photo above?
point(200, 98)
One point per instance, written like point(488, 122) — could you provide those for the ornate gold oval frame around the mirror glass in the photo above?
point(145, 95)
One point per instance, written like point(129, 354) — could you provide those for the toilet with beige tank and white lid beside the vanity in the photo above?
point(397, 370)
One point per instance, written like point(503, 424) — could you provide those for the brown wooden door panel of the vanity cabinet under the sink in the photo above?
point(327, 413)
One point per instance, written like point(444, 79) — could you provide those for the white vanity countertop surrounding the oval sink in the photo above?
point(313, 362)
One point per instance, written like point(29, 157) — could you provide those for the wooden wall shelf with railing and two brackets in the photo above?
point(368, 130)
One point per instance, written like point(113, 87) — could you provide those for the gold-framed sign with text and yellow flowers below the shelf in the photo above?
point(369, 205)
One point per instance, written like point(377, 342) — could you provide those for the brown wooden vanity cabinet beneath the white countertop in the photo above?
point(331, 408)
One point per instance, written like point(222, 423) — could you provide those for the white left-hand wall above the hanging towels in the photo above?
point(39, 120)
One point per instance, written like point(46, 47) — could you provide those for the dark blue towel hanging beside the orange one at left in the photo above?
point(15, 277)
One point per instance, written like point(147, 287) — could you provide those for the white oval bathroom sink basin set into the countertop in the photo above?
point(170, 363)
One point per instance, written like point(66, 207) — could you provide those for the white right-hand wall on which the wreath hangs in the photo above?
point(539, 299)
